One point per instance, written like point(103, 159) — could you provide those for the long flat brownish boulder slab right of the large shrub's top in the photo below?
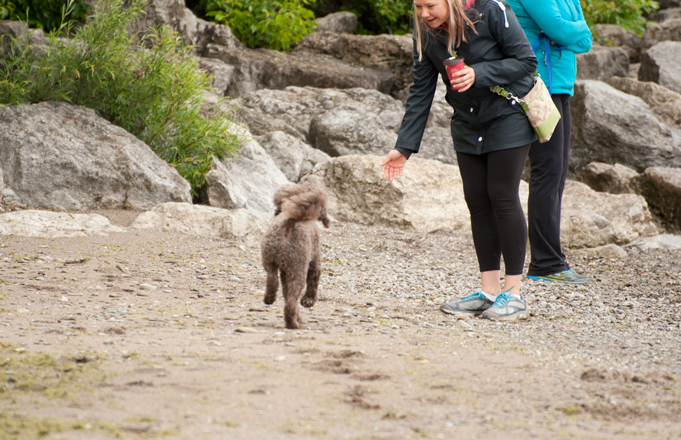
point(269, 69)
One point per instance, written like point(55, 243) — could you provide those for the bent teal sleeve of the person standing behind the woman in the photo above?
point(547, 15)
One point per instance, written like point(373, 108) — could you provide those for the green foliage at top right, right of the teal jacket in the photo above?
point(625, 13)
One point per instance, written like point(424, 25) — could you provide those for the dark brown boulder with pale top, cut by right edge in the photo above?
point(661, 186)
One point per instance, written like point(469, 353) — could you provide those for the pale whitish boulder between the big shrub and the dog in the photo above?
point(248, 181)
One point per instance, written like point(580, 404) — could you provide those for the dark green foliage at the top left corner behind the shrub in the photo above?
point(45, 14)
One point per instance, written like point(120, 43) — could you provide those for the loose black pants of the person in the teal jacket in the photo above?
point(549, 162)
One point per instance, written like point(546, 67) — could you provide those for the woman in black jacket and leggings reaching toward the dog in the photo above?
point(491, 134)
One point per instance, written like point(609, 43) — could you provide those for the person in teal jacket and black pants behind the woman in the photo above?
point(557, 31)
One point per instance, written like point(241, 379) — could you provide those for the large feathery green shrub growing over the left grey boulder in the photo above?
point(149, 85)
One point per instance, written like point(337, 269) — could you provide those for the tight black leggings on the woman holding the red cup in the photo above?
point(490, 186)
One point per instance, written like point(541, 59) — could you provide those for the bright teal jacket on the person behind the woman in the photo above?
point(563, 22)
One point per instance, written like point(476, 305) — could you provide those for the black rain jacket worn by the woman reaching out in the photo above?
point(482, 121)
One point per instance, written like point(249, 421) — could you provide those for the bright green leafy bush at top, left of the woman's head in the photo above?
point(262, 23)
